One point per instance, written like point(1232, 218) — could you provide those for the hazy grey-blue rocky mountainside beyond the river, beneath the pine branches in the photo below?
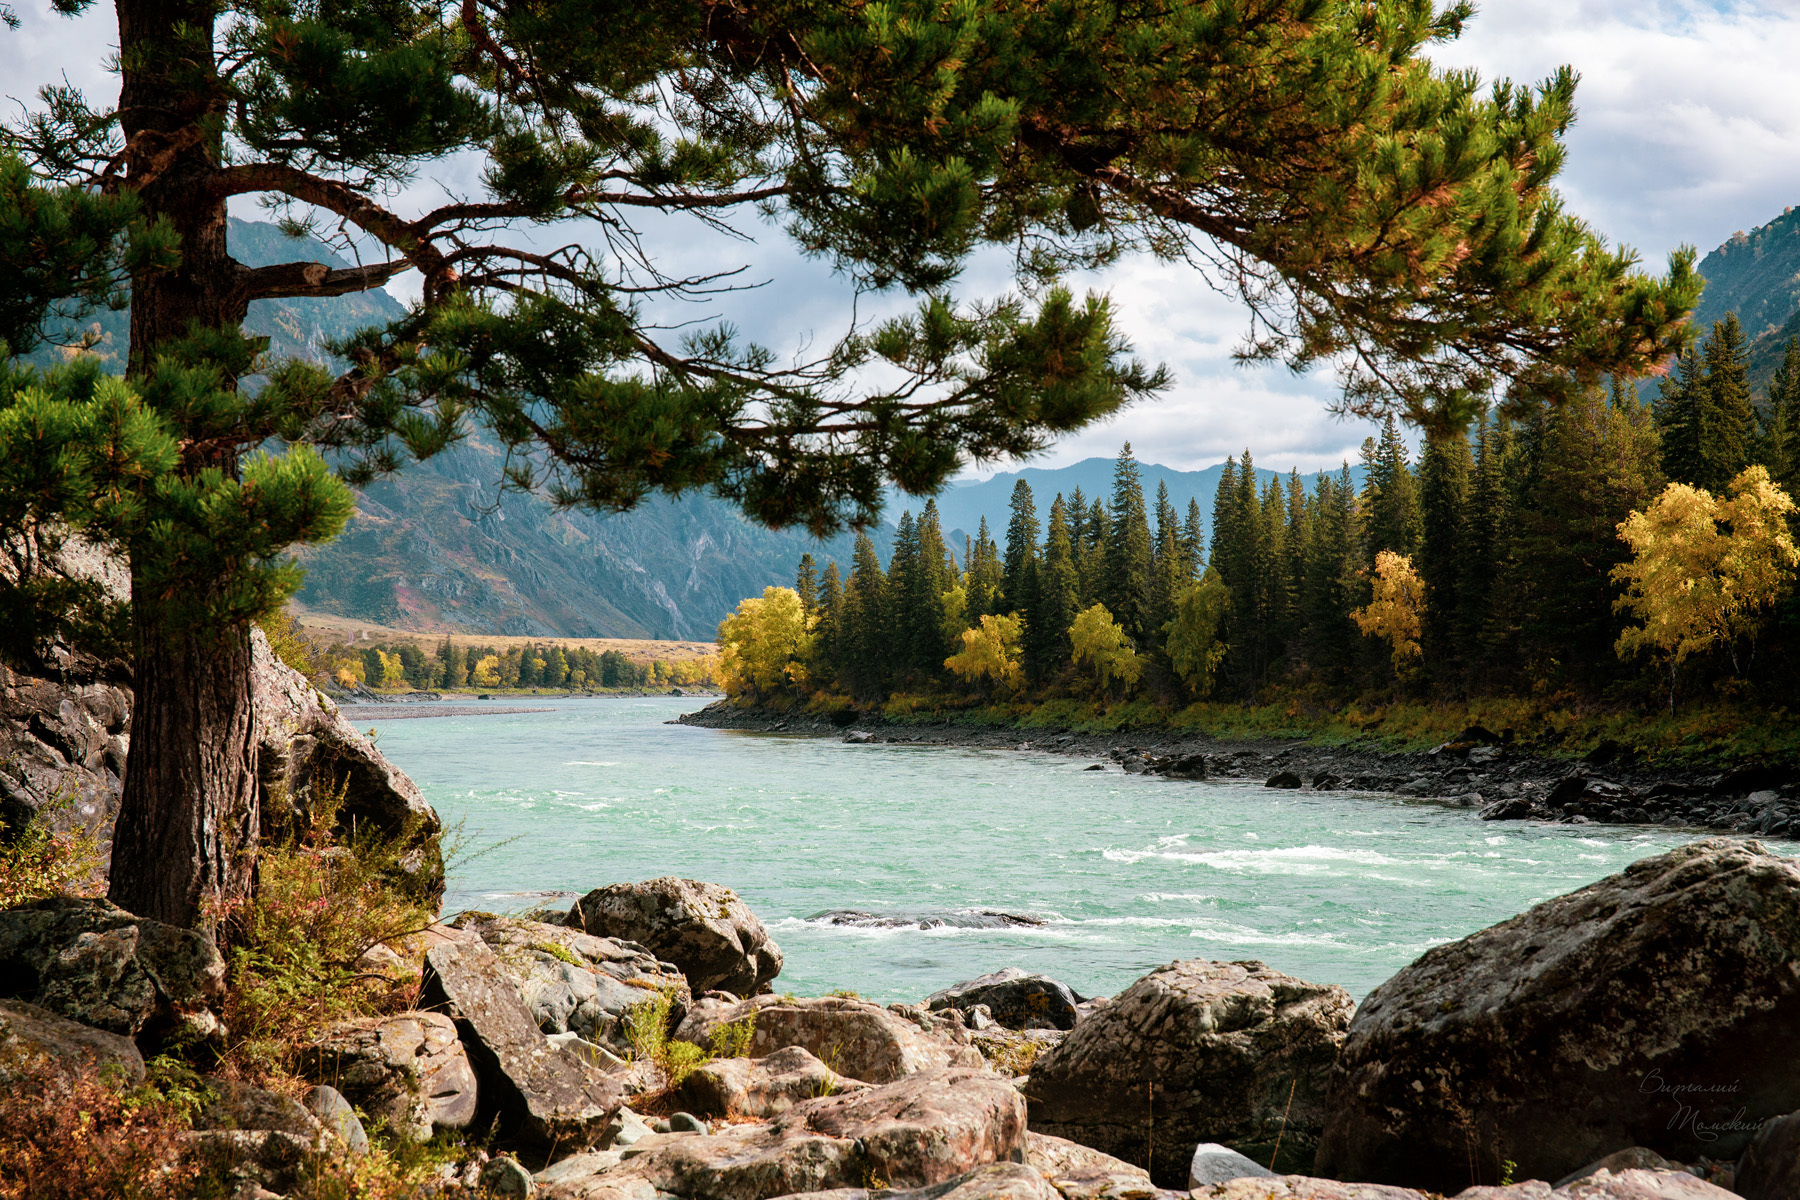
point(438, 548)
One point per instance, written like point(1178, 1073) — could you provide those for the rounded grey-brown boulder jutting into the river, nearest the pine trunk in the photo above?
point(703, 929)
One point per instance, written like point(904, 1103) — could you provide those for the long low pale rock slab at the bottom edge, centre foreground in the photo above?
point(922, 1131)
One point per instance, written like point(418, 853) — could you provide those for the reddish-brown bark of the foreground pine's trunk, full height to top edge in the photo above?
point(186, 834)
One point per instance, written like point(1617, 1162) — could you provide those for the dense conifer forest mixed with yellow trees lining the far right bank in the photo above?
point(1603, 550)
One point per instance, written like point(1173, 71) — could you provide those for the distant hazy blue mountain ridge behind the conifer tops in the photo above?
point(966, 503)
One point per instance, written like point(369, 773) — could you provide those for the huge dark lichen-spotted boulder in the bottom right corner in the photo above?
point(1594, 1021)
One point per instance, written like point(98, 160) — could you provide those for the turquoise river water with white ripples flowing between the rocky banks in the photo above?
point(894, 870)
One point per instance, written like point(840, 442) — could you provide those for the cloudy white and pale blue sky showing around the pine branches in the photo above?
point(1689, 130)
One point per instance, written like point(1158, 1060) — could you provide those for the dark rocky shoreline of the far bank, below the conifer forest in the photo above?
point(1475, 771)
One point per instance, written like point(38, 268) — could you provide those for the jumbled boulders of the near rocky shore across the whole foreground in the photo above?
point(634, 1048)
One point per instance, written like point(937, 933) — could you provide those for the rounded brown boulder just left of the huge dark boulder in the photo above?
point(1236, 1053)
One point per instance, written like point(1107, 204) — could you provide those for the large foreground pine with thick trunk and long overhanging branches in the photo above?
point(894, 148)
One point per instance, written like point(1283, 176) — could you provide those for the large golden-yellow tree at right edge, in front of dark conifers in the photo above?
point(1704, 569)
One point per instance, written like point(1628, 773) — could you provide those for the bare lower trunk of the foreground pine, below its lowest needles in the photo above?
point(186, 836)
